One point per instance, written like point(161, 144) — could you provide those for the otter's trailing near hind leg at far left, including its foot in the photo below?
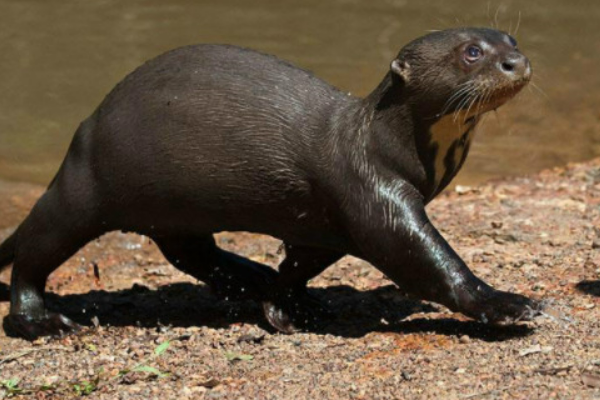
point(60, 223)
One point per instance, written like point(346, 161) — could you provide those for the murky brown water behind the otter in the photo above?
point(59, 59)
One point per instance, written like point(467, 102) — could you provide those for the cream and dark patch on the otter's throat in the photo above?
point(450, 141)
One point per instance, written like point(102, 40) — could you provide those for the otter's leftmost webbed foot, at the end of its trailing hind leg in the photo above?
point(52, 324)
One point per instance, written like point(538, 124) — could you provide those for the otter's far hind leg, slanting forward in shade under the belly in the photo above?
point(230, 276)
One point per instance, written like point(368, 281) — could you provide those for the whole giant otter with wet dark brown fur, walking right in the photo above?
point(210, 138)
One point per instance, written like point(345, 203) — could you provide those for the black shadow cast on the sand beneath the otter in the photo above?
point(354, 313)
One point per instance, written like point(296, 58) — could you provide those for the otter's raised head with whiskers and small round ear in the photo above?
point(466, 71)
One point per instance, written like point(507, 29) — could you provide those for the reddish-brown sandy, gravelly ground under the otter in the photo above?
point(156, 333)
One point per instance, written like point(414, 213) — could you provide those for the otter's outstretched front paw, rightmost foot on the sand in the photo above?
point(501, 308)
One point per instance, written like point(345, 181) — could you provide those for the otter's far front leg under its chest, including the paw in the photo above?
point(291, 308)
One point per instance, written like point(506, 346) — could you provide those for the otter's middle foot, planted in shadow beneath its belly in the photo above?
point(295, 311)
